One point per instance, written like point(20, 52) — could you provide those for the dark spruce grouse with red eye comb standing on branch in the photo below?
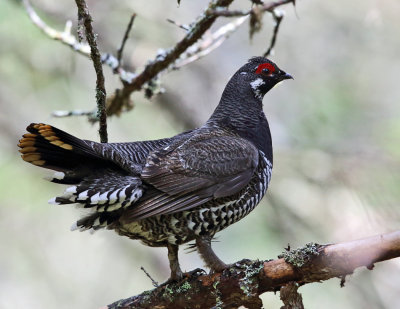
point(170, 191)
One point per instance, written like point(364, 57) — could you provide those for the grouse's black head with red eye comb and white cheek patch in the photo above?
point(261, 75)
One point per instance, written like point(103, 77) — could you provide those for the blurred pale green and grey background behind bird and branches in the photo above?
point(336, 133)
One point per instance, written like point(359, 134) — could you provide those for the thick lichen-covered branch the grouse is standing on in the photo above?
point(241, 284)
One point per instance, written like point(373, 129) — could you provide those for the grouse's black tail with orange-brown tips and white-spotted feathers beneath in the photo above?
point(99, 184)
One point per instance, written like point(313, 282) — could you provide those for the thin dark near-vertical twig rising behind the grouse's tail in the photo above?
point(86, 20)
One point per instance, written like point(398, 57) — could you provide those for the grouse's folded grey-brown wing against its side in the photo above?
point(193, 173)
